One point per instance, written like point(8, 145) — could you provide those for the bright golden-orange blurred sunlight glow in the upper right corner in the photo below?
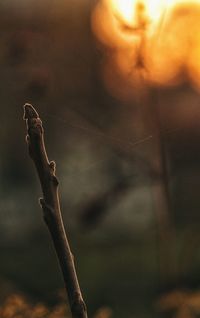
point(151, 42)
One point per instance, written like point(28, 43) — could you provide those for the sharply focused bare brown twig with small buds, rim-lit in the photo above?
point(51, 209)
